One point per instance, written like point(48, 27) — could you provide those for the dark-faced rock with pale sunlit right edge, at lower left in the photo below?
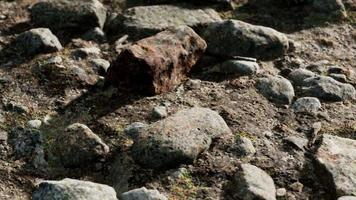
point(79, 146)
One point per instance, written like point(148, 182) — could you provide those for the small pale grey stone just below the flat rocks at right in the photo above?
point(307, 105)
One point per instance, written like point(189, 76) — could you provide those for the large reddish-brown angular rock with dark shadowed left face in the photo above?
point(159, 63)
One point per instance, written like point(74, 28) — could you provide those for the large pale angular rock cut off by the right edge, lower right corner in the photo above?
point(336, 159)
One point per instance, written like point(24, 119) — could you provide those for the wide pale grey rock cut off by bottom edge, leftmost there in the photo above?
point(71, 189)
